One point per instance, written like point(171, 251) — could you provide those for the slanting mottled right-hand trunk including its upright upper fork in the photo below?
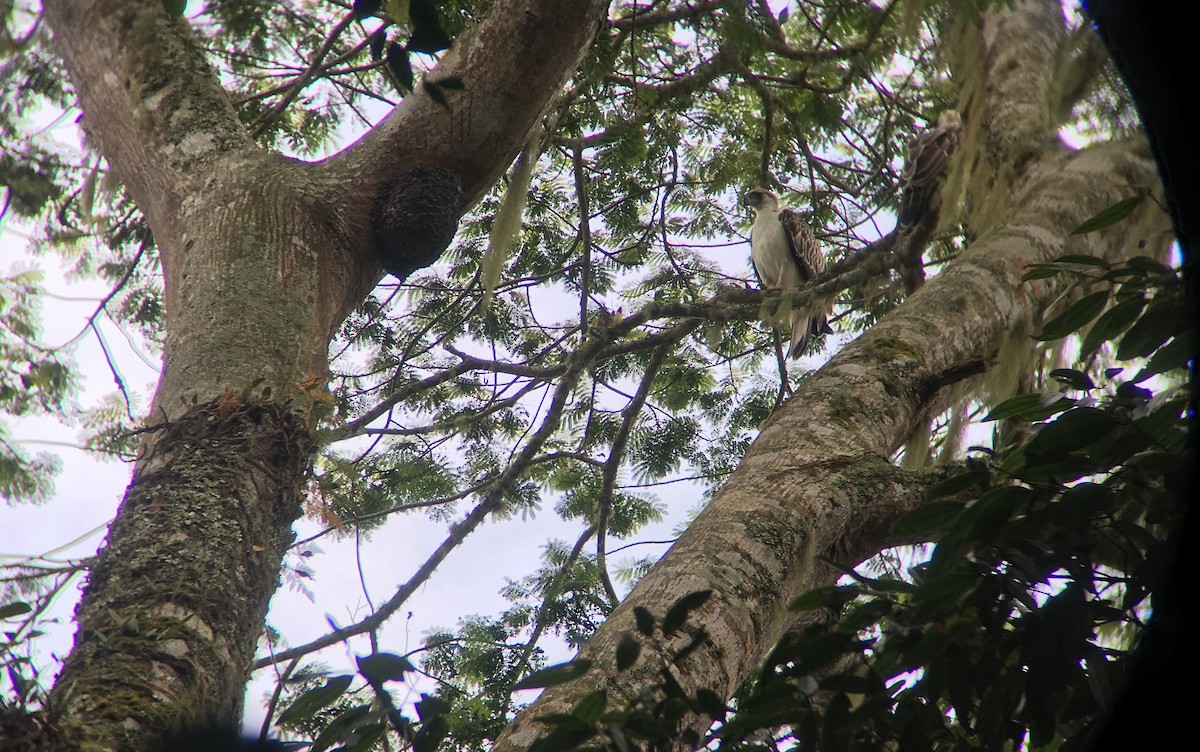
point(818, 482)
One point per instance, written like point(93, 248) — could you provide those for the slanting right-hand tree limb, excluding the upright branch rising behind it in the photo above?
point(803, 486)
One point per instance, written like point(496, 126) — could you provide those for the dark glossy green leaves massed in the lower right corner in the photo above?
point(1017, 633)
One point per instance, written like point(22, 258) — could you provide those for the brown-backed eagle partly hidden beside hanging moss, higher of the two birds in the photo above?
point(925, 172)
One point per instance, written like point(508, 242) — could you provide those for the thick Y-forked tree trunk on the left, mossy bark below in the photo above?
point(263, 258)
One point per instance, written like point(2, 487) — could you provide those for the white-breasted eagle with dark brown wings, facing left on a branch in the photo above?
point(785, 256)
